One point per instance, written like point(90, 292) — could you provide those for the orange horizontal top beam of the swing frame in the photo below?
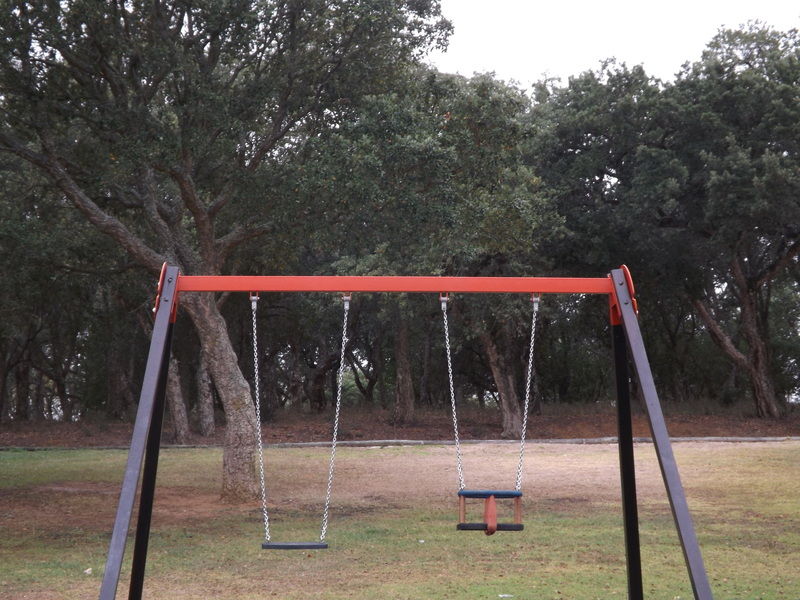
point(347, 283)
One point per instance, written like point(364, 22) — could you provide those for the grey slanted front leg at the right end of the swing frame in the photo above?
point(663, 447)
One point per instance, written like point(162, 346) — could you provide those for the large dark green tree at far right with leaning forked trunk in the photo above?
point(696, 182)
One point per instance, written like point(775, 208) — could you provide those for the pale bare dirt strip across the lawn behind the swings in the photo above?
point(564, 477)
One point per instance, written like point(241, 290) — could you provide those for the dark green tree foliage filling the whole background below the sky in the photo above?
point(305, 138)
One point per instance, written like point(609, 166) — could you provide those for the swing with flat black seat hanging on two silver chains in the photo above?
point(268, 544)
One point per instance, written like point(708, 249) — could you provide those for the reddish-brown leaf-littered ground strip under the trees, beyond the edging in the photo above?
point(363, 424)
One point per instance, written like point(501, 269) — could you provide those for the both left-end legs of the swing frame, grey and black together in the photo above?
point(146, 438)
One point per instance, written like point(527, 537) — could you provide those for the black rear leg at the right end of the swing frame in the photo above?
point(630, 512)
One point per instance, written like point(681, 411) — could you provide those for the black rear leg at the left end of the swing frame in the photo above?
point(149, 481)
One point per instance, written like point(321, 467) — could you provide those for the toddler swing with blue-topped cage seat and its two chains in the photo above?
point(489, 525)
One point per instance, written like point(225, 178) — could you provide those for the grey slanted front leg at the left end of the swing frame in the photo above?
point(159, 353)
